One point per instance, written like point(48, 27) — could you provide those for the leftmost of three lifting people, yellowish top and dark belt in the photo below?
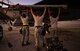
point(25, 29)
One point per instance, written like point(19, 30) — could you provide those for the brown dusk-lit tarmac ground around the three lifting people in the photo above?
point(69, 33)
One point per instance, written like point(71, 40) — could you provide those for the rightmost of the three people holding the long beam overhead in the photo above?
point(53, 22)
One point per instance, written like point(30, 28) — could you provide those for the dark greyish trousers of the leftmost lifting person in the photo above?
point(25, 33)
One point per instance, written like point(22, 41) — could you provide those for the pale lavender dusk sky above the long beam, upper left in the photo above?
point(22, 2)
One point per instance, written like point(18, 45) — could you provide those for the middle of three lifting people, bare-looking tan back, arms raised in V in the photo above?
point(38, 20)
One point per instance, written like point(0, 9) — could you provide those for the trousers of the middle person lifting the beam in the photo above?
point(38, 31)
